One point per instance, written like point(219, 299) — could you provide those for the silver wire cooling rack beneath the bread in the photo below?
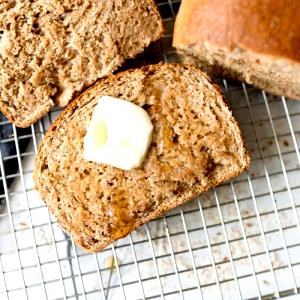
point(241, 240)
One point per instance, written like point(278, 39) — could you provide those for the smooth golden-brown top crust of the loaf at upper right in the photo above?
point(267, 27)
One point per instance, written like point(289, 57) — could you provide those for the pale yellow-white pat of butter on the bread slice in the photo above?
point(119, 134)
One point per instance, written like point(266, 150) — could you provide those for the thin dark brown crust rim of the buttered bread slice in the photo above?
point(76, 103)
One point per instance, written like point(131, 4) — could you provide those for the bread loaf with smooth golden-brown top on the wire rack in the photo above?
point(253, 41)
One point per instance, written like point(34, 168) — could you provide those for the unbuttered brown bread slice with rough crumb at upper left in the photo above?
point(51, 50)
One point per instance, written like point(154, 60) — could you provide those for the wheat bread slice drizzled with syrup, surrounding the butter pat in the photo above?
point(196, 145)
